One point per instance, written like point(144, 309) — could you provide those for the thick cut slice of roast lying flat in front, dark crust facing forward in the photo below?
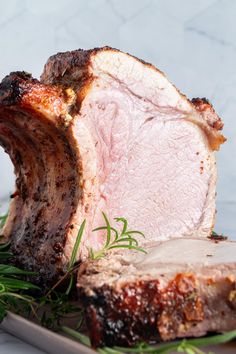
point(181, 288)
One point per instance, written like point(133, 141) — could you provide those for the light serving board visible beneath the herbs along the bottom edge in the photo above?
point(53, 343)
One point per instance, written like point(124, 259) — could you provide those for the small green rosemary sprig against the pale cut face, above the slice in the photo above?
point(116, 239)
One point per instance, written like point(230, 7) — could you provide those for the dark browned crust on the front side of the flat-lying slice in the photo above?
point(145, 311)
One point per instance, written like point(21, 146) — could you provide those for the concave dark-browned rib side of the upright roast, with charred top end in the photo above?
point(47, 174)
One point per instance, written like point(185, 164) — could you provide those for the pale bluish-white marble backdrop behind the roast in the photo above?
point(193, 42)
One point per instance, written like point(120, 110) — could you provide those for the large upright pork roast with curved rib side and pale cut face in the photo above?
point(104, 131)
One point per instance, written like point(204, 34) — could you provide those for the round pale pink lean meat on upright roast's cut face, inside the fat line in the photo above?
point(153, 166)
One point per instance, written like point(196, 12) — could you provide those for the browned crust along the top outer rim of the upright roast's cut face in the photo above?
point(71, 69)
